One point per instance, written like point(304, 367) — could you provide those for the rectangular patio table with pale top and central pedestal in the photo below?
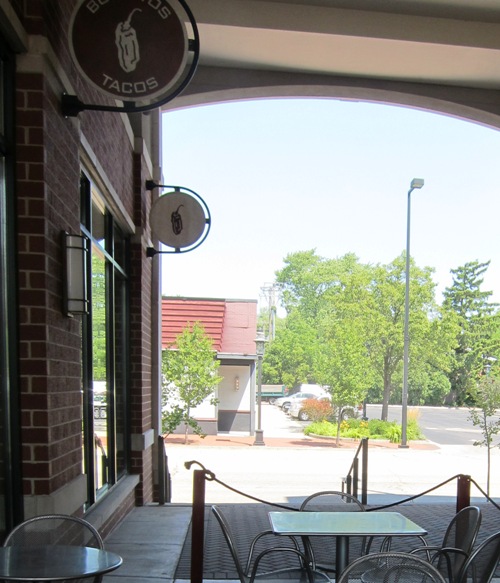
point(342, 526)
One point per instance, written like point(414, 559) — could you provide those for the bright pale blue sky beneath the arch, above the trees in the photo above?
point(281, 176)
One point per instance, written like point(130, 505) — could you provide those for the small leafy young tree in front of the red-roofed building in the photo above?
point(189, 376)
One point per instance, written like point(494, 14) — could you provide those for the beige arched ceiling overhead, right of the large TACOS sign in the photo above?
point(440, 55)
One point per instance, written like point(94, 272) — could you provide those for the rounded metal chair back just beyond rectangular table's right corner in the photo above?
point(460, 534)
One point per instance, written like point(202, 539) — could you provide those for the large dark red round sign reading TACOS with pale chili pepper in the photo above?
point(131, 50)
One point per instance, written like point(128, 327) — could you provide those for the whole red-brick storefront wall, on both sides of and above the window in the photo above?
point(47, 190)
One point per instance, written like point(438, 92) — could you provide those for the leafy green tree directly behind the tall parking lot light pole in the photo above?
point(431, 331)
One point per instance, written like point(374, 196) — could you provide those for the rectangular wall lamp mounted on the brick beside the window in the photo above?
point(75, 254)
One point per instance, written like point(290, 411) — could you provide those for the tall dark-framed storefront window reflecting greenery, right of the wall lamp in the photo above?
point(105, 373)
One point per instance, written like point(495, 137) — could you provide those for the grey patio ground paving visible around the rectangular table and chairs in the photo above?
point(155, 541)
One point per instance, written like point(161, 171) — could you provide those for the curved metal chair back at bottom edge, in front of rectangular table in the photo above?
point(390, 568)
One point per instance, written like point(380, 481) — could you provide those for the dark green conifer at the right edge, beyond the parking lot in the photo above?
point(478, 324)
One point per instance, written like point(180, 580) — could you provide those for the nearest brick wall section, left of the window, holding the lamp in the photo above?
point(47, 195)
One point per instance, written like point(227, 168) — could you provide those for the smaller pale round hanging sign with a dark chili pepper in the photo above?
point(179, 220)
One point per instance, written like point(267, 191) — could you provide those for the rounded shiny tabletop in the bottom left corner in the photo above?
point(55, 562)
